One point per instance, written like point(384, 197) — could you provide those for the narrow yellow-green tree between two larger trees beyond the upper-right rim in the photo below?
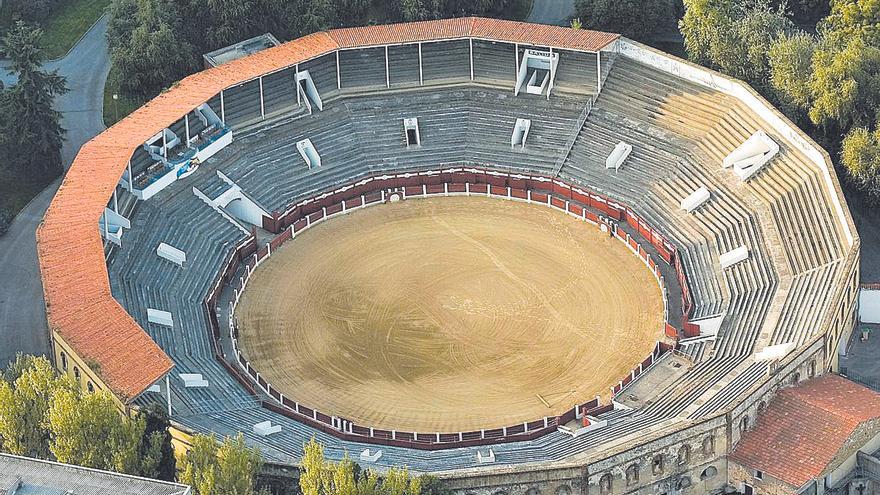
point(791, 65)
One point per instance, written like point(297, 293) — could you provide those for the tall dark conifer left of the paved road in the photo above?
point(31, 128)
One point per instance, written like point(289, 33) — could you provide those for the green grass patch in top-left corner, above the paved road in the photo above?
point(67, 25)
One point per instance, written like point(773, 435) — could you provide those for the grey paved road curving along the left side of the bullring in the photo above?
point(22, 317)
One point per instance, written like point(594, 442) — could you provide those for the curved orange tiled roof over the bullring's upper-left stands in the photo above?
point(79, 304)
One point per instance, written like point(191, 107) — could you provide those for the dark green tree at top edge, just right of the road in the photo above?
point(634, 19)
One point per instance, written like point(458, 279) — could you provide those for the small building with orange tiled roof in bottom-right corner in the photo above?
point(812, 433)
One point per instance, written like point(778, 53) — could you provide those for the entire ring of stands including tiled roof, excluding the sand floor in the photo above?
point(761, 256)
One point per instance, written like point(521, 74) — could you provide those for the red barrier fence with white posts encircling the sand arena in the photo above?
point(374, 190)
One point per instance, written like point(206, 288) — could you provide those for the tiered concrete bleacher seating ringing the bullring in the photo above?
point(680, 132)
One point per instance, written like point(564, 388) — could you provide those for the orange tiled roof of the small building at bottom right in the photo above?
point(804, 427)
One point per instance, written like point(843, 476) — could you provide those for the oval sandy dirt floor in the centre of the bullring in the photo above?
point(449, 314)
